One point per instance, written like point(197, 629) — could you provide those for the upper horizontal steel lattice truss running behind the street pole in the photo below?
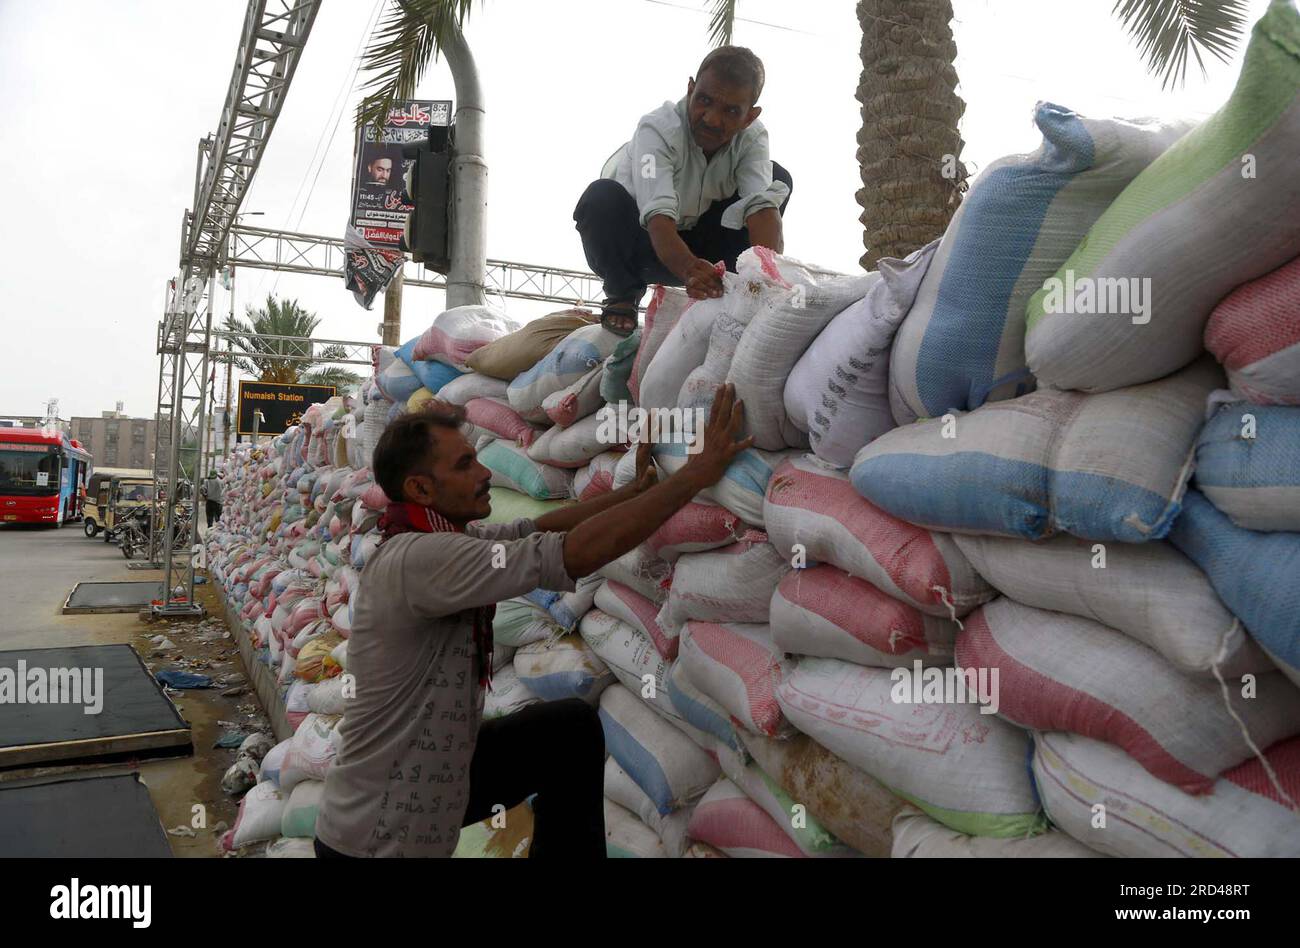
point(289, 253)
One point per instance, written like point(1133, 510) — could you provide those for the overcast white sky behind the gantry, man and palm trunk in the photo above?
point(105, 105)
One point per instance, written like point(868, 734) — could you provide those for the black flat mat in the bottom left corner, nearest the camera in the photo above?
point(80, 819)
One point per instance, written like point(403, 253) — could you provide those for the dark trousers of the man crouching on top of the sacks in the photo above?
point(619, 252)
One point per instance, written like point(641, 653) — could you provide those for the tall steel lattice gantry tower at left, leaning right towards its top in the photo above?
point(271, 45)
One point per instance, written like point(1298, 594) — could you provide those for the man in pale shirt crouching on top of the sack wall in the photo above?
point(692, 188)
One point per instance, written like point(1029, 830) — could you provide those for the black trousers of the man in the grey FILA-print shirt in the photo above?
point(554, 750)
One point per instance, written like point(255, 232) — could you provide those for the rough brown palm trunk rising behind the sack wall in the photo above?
point(909, 148)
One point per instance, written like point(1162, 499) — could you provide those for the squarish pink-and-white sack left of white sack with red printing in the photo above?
point(738, 666)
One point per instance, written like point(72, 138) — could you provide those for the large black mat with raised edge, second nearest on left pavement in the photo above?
point(135, 716)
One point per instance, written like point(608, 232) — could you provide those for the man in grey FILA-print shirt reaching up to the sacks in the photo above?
point(415, 761)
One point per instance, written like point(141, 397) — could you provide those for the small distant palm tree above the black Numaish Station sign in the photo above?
point(267, 358)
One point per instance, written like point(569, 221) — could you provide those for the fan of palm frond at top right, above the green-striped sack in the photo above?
point(1168, 31)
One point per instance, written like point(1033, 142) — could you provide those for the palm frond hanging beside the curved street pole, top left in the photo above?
point(409, 38)
